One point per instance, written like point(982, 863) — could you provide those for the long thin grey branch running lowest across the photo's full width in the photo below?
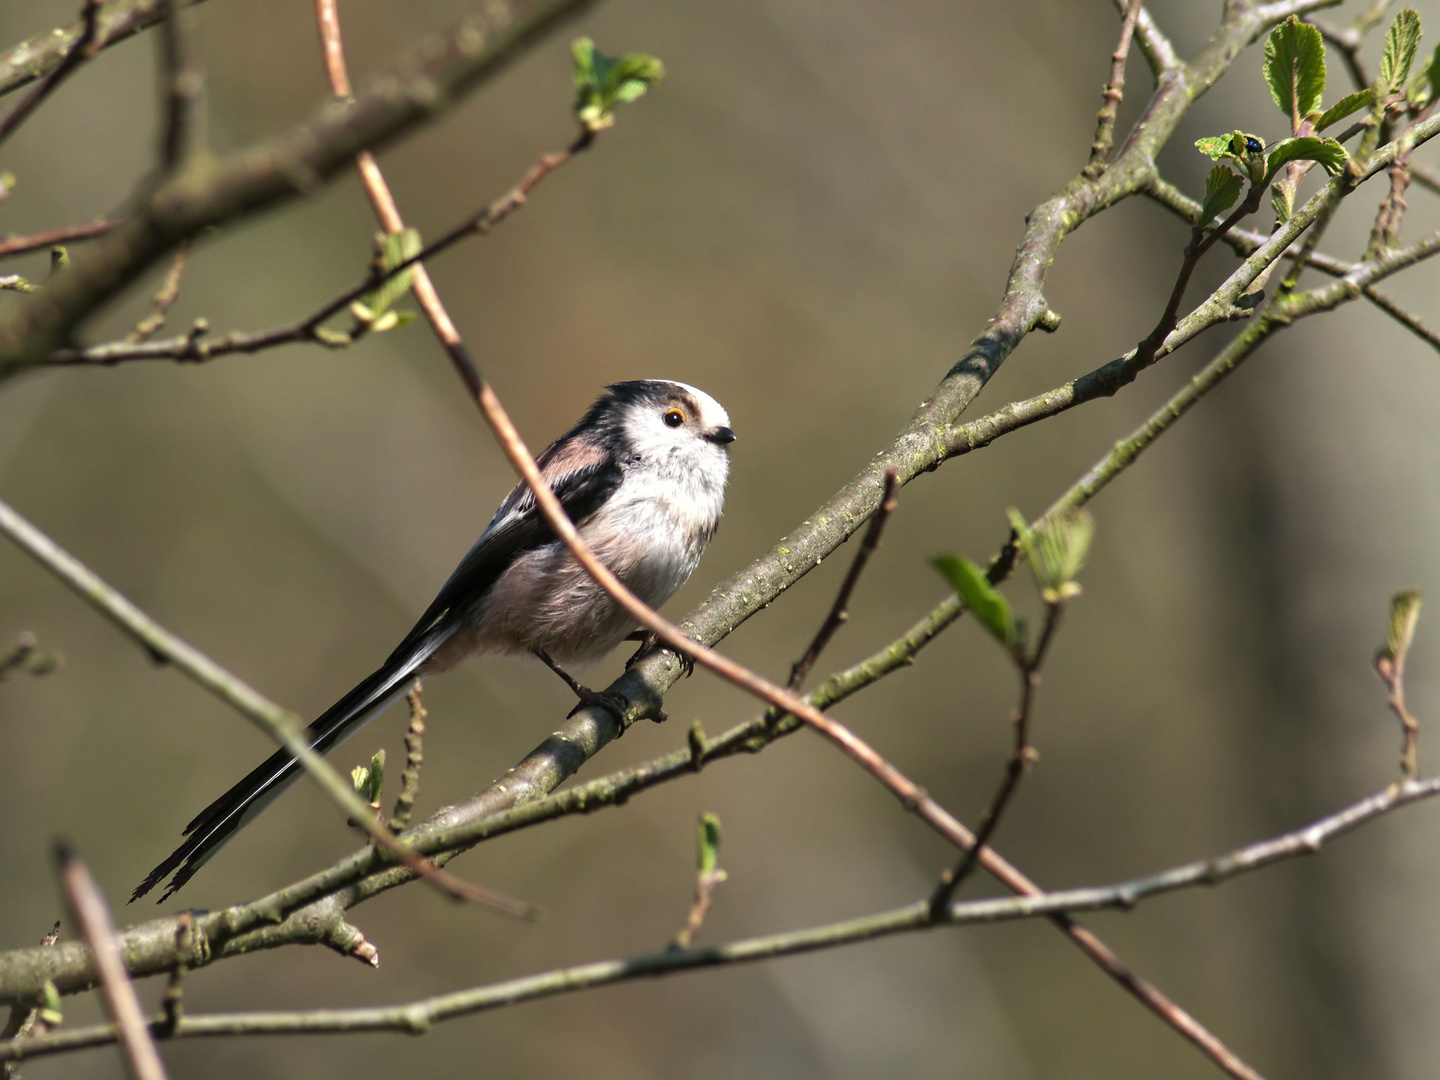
point(417, 1017)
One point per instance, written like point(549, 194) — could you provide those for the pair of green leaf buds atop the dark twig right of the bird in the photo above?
point(1056, 551)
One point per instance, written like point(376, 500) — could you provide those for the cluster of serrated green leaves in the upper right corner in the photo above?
point(1295, 73)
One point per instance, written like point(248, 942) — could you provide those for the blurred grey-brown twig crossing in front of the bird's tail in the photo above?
point(279, 724)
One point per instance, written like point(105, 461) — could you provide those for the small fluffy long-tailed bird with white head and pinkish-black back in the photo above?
point(643, 477)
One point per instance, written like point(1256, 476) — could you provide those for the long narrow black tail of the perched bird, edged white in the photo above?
point(241, 804)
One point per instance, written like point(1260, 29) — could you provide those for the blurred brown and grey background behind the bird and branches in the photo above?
point(809, 220)
